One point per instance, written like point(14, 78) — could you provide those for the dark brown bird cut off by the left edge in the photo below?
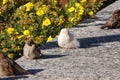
point(9, 67)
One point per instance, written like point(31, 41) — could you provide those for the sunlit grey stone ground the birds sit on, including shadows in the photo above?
point(98, 57)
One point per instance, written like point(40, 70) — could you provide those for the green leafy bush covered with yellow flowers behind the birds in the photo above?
point(40, 20)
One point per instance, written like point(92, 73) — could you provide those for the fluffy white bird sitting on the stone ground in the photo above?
point(67, 40)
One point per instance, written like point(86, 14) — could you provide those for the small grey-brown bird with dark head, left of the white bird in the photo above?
point(30, 50)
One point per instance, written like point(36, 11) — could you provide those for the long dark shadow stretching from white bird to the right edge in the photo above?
point(95, 41)
